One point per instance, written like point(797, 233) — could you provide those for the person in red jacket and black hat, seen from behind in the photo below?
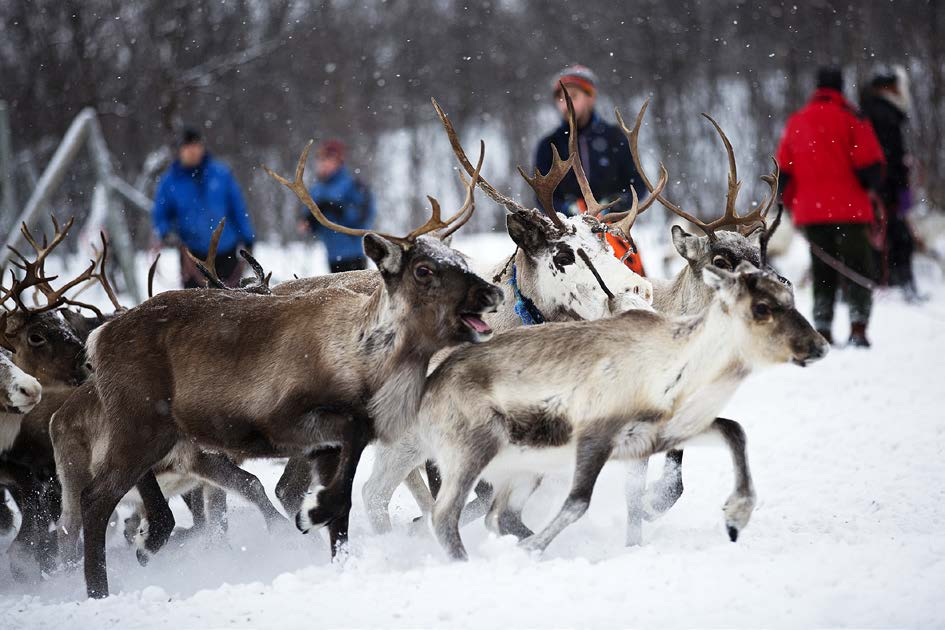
point(830, 161)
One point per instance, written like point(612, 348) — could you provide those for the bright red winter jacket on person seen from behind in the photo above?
point(823, 147)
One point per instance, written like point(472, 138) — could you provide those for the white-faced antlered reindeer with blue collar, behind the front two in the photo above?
point(561, 270)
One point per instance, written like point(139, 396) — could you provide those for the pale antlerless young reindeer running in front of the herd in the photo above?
point(511, 408)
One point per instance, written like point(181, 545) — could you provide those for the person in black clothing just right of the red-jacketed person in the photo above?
point(886, 103)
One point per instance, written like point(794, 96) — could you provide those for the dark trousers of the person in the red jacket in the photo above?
point(849, 244)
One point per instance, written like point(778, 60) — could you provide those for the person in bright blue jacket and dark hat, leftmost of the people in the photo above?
point(194, 195)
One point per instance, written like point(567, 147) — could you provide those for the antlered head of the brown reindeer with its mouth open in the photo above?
point(421, 273)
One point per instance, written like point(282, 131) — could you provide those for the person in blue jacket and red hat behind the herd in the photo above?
point(344, 200)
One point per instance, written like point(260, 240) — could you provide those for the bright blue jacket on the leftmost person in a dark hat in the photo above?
point(191, 202)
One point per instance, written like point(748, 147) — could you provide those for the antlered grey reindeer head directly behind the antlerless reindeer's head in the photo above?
point(724, 248)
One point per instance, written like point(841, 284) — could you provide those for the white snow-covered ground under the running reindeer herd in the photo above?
point(849, 464)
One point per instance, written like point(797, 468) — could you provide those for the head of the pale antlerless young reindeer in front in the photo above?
point(764, 309)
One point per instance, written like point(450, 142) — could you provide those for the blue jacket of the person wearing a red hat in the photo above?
point(342, 200)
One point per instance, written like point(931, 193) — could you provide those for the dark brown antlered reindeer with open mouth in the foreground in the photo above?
point(323, 368)
